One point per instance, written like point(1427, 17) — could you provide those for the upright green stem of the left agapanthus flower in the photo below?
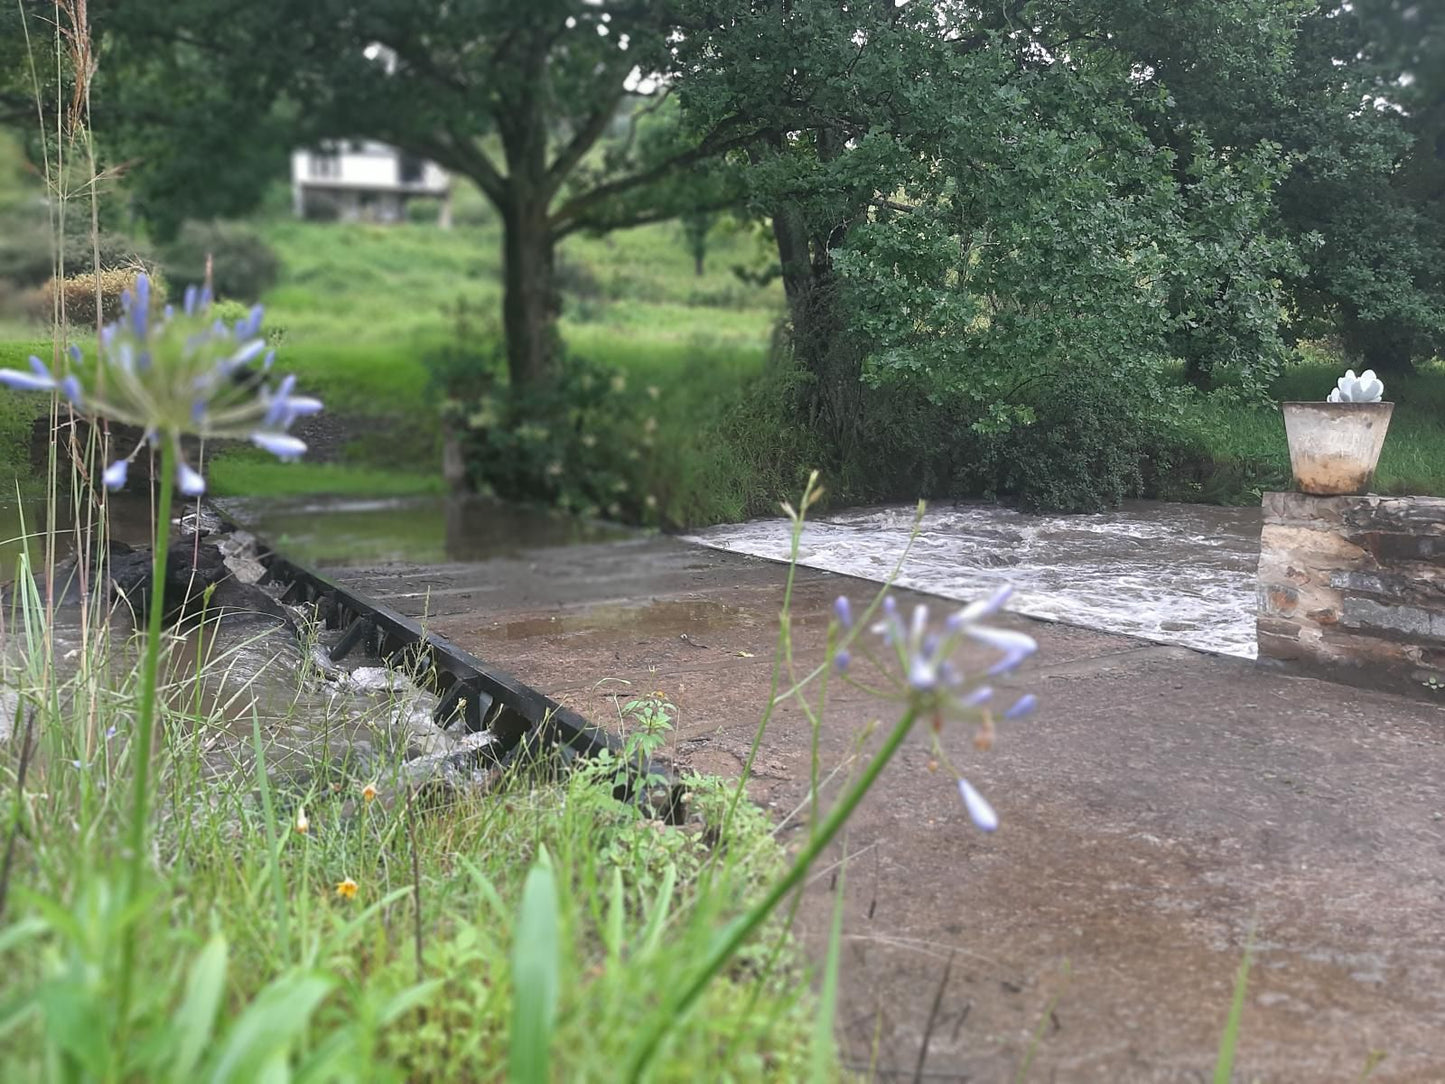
point(147, 723)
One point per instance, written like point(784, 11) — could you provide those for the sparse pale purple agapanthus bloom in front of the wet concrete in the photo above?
point(936, 686)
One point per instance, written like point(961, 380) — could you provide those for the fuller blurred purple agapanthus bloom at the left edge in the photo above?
point(178, 374)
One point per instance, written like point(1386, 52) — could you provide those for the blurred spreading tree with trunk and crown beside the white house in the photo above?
point(517, 98)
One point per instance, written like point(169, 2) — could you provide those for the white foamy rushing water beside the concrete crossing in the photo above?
point(1170, 573)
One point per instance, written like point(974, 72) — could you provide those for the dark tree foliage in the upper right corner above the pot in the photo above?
point(1326, 87)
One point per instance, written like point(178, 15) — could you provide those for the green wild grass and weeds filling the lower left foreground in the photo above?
point(388, 919)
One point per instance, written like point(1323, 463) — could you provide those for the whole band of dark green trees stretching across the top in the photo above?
point(970, 209)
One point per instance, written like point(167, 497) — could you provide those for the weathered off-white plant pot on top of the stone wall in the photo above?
point(1336, 447)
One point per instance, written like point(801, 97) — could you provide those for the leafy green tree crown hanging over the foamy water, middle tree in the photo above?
point(972, 197)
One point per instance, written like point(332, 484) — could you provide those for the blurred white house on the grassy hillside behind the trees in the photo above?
point(365, 181)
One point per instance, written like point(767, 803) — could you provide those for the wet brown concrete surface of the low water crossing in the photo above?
point(1161, 810)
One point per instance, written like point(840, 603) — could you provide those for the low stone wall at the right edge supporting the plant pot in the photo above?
point(1356, 588)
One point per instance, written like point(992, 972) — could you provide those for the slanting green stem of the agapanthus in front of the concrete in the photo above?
point(742, 930)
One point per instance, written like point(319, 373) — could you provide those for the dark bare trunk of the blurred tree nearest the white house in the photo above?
point(531, 304)
